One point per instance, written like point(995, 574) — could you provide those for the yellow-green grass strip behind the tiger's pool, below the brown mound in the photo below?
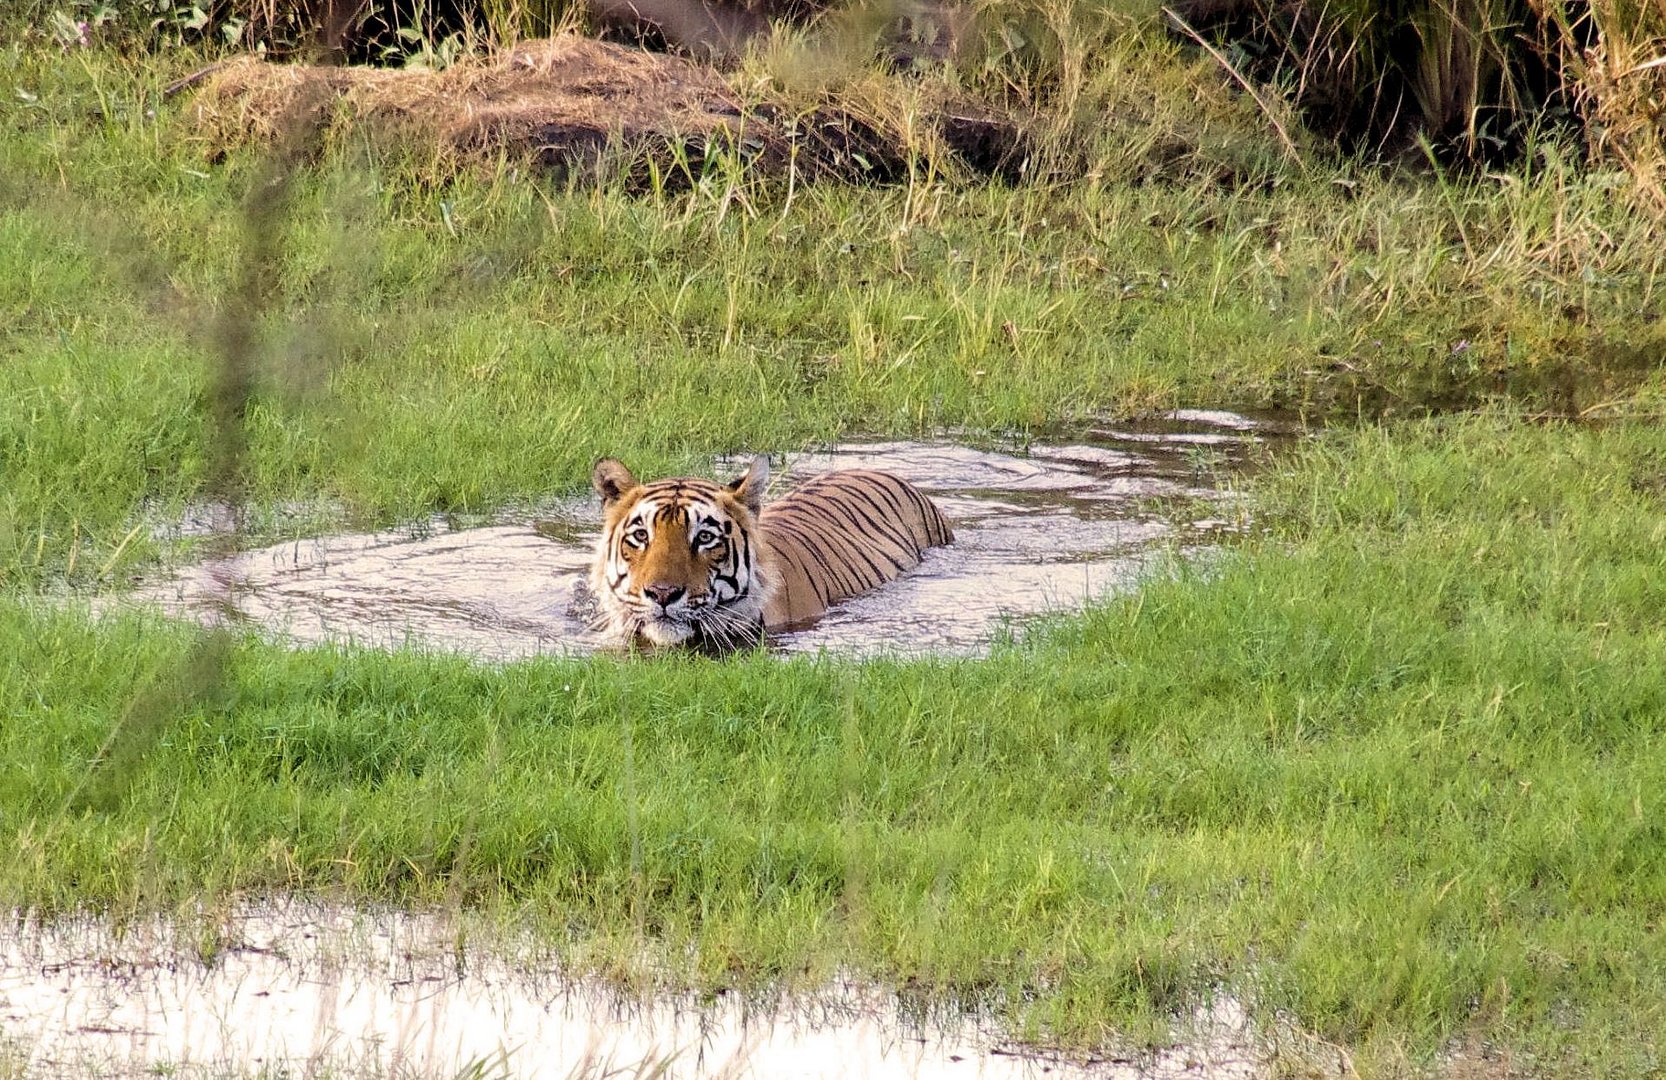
point(461, 346)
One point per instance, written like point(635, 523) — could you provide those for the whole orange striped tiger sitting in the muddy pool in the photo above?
point(691, 562)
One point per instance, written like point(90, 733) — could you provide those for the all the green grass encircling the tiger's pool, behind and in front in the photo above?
point(1392, 766)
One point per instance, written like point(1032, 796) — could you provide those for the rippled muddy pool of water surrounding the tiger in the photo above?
point(1037, 531)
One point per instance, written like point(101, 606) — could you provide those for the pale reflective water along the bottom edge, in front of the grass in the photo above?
point(306, 989)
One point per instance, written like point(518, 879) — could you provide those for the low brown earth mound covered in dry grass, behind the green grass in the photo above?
point(572, 106)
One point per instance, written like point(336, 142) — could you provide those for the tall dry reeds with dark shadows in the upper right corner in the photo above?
point(1472, 82)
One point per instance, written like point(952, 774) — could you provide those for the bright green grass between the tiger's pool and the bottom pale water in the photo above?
point(1392, 769)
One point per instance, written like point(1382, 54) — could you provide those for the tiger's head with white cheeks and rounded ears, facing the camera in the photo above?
point(679, 561)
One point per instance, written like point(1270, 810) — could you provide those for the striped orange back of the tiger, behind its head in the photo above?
point(840, 536)
